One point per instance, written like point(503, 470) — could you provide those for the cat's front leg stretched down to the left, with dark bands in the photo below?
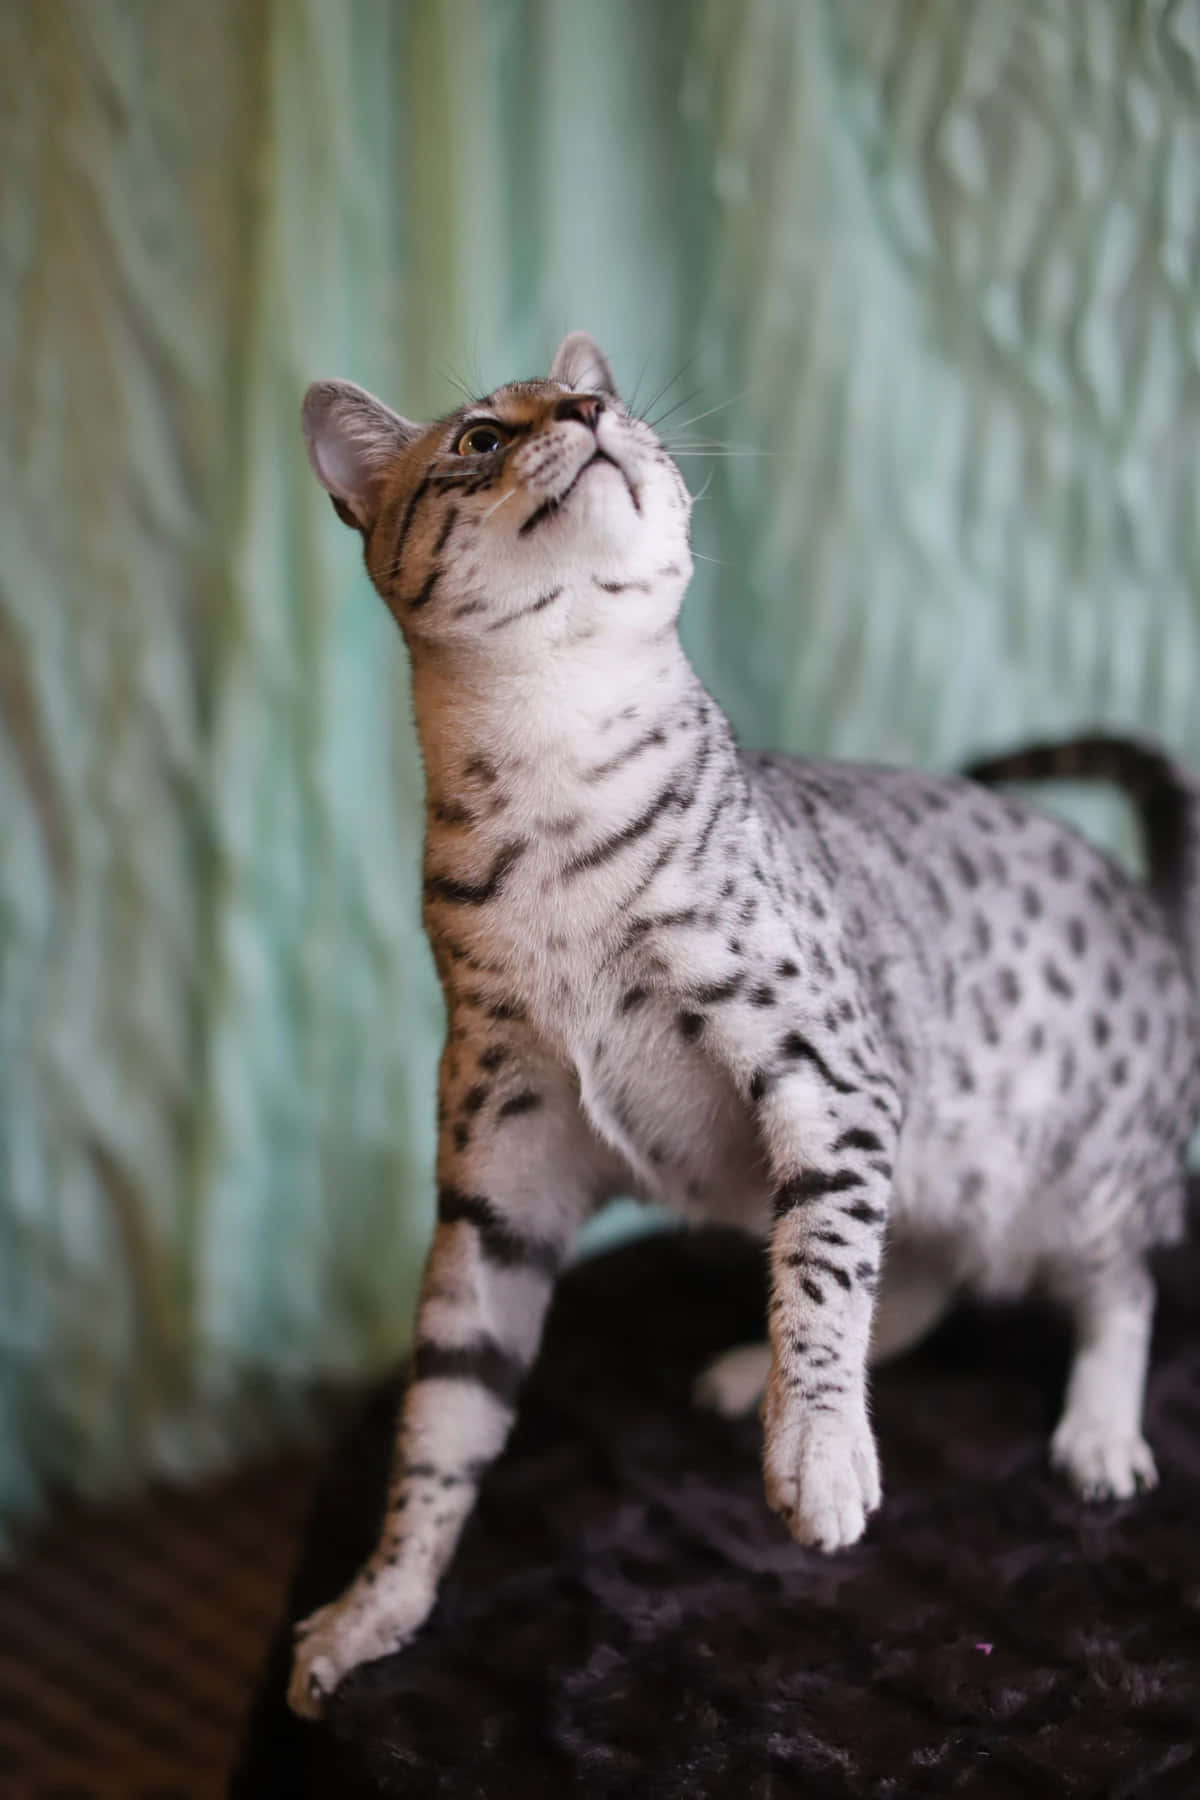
point(517, 1174)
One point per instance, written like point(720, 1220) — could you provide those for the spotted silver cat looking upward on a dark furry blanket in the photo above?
point(845, 1009)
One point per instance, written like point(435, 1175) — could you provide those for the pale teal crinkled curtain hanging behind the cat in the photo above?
point(931, 271)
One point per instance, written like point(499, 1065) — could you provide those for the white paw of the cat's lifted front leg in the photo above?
point(821, 1471)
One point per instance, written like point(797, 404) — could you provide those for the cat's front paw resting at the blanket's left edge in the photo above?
point(370, 1621)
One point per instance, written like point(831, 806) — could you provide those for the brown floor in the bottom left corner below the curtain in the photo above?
point(130, 1641)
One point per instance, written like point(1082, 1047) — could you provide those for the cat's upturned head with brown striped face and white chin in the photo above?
point(544, 514)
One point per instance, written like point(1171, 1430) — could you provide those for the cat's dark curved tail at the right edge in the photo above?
point(1169, 805)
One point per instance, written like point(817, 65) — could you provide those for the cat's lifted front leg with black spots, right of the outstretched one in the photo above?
point(832, 1151)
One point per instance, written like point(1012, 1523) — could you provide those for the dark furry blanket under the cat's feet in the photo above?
point(625, 1617)
